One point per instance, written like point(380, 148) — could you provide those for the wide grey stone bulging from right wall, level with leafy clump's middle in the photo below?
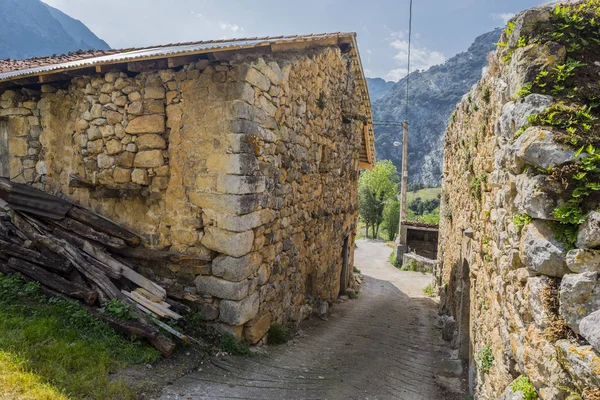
point(536, 146)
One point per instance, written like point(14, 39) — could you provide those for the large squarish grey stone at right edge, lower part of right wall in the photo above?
point(579, 297)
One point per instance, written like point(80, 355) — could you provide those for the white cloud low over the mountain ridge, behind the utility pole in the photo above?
point(420, 58)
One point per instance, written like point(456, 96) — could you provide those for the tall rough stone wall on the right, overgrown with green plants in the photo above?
point(519, 259)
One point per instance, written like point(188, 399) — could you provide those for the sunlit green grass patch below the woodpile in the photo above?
point(52, 348)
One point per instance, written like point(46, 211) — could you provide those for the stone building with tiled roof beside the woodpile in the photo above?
point(243, 153)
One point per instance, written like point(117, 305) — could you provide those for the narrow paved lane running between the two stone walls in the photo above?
point(380, 346)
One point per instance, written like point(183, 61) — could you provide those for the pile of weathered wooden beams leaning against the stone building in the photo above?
point(75, 252)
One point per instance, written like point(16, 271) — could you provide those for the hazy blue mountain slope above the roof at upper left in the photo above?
point(31, 28)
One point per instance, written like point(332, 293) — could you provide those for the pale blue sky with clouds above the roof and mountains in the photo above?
point(441, 28)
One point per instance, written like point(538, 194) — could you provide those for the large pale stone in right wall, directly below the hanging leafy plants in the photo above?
point(541, 252)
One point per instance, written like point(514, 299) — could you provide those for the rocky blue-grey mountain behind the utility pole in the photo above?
point(433, 96)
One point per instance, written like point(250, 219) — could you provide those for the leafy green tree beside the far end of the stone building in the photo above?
point(376, 188)
